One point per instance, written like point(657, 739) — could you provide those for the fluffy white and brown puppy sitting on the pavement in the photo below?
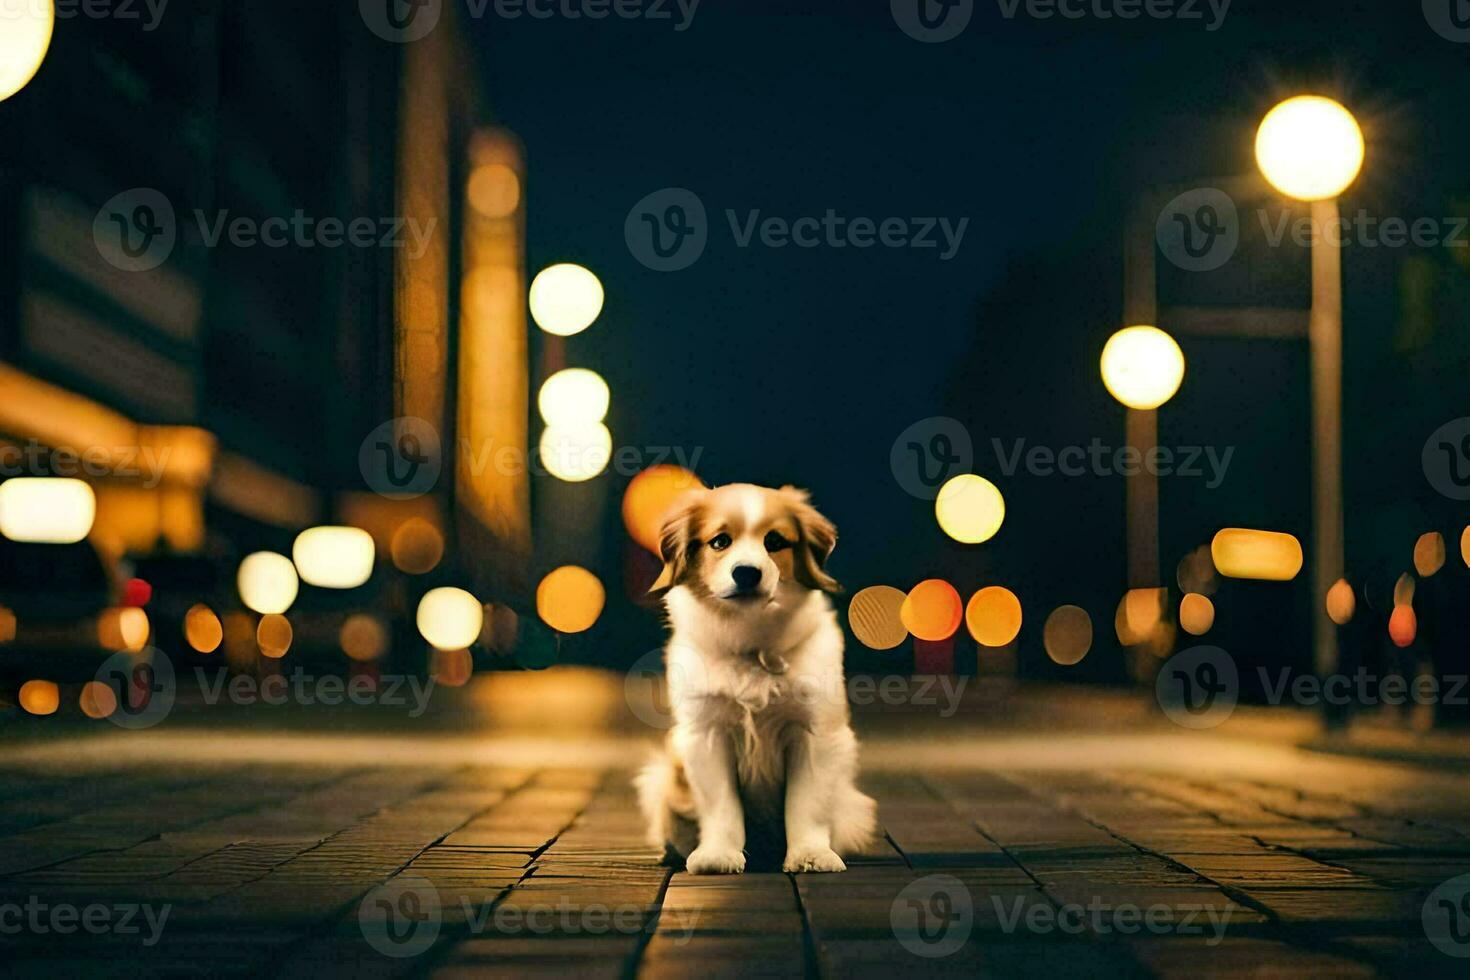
point(762, 757)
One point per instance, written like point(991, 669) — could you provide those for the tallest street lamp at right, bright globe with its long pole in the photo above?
point(1312, 149)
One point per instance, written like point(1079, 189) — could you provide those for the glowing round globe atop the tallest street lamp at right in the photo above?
point(1311, 148)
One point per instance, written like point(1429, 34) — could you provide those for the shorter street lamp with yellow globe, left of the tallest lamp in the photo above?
point(1143, 368)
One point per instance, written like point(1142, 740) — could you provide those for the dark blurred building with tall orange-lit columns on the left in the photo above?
point(223, 384)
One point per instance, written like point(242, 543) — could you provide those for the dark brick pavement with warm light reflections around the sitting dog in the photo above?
point(289, 869)
